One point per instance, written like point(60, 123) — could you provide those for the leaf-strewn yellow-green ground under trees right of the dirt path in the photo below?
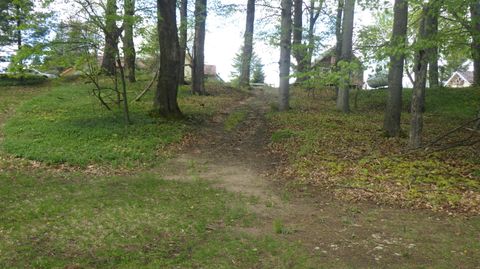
point(350, 154)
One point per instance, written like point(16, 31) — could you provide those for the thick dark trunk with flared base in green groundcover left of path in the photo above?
point(165, 102)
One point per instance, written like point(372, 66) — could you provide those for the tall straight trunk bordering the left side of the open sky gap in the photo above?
point(198, 76)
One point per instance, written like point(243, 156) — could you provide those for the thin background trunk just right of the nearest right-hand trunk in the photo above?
point(432, 53)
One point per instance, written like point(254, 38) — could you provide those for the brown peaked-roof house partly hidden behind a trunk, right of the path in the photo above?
point(327, 61)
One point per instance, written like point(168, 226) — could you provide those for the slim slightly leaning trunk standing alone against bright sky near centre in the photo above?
point(247, 45)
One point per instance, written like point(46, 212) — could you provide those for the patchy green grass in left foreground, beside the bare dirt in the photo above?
point(130, 222)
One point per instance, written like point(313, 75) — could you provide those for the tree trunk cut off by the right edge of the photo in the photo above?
point(475, 15)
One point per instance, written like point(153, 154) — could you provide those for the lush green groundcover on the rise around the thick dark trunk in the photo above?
point(68, 125)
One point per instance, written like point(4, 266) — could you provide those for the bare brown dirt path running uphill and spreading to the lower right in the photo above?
point(339, 233)
